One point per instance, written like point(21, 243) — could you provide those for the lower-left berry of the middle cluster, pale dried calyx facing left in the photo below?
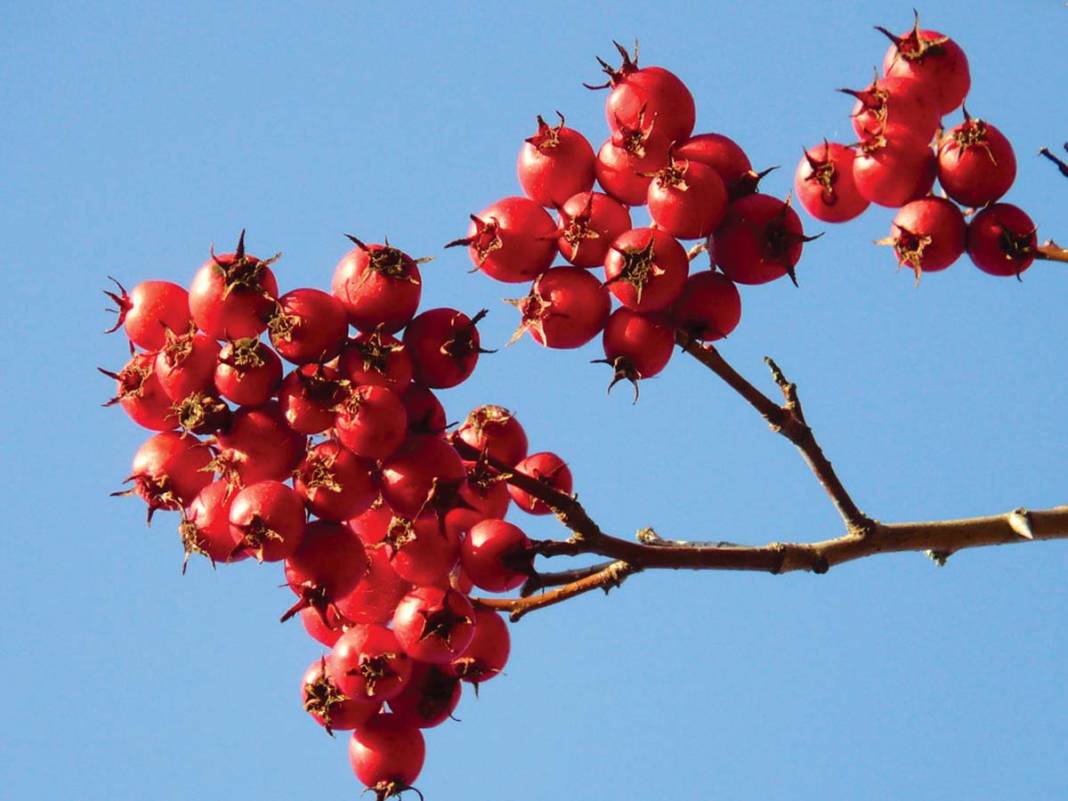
point(566, 309)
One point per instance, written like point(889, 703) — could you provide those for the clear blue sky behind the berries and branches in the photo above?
point(135, 135)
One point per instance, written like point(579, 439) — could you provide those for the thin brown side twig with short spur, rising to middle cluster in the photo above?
point(789, 420)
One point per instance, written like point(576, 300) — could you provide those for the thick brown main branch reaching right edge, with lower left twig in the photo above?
point(940, 539)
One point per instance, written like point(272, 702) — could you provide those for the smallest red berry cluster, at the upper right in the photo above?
point(903, 150)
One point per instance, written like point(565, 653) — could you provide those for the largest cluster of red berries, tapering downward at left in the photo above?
point(342, 469)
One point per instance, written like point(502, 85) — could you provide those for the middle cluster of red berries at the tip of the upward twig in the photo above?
point(697, 187)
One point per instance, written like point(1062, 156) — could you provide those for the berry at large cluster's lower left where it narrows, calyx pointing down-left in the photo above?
point(328, 564)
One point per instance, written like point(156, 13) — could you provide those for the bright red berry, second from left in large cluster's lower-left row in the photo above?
point(268, 520)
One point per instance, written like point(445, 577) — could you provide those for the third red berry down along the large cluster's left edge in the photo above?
point(169, 470)
